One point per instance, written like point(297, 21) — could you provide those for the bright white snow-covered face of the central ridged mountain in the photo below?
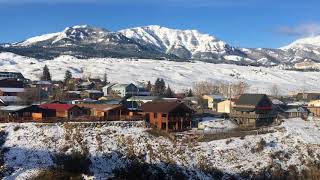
point(186, 44)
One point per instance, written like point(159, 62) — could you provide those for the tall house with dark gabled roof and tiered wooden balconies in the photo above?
point(253, 110)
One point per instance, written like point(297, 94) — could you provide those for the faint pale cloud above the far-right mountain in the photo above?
point(308, 29)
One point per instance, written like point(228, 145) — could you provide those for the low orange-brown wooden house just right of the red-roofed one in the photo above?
point(103, 111)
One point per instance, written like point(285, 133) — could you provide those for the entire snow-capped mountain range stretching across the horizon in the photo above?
point(156, 42)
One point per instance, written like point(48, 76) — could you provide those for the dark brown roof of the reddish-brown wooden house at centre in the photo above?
point(163, 106)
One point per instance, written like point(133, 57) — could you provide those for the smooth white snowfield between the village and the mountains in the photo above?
point(179, 75)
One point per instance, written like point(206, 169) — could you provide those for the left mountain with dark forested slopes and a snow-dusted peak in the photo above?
point(84, 42)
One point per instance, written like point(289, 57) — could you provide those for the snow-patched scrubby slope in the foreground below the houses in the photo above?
point(30, 146)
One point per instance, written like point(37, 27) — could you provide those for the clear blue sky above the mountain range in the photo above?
point(241, 23)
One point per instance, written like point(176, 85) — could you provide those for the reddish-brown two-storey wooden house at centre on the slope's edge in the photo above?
point(168, 115)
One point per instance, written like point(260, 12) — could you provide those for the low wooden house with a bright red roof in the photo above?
point(68, 111)
